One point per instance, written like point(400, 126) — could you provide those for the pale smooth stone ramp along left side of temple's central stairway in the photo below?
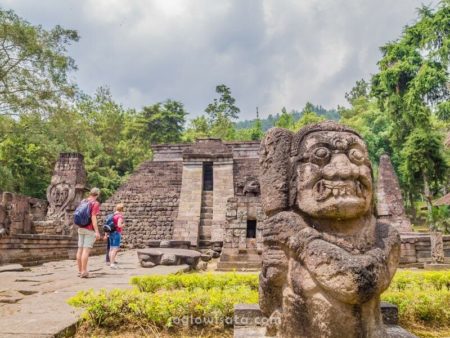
point(186, 226)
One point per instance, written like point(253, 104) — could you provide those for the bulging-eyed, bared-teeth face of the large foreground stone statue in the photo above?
point(334, 176)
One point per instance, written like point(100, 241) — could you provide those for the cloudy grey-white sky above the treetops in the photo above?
point(271, 53)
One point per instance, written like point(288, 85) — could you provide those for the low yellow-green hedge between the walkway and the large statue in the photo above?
point(174, 296)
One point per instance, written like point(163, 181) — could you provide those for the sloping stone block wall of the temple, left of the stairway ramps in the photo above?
point(151, 197)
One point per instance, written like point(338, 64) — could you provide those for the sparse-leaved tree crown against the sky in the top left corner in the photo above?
point(33, 66)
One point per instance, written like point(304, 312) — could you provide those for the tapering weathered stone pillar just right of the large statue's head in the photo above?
point(390, 205)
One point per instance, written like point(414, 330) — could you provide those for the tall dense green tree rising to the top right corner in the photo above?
point(412, 88)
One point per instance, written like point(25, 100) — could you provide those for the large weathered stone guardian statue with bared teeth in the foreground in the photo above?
point(326, 259)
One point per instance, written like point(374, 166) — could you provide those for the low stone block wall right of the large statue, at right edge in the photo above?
point(416, 249)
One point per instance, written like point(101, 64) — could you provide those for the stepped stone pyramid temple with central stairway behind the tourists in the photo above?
point(206, 193)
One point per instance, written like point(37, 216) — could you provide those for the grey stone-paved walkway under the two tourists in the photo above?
point(33, 303)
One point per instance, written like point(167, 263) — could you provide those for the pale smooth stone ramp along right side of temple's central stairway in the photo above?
point(223, 190)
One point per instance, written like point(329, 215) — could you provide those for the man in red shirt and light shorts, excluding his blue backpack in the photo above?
point(89, 234)
